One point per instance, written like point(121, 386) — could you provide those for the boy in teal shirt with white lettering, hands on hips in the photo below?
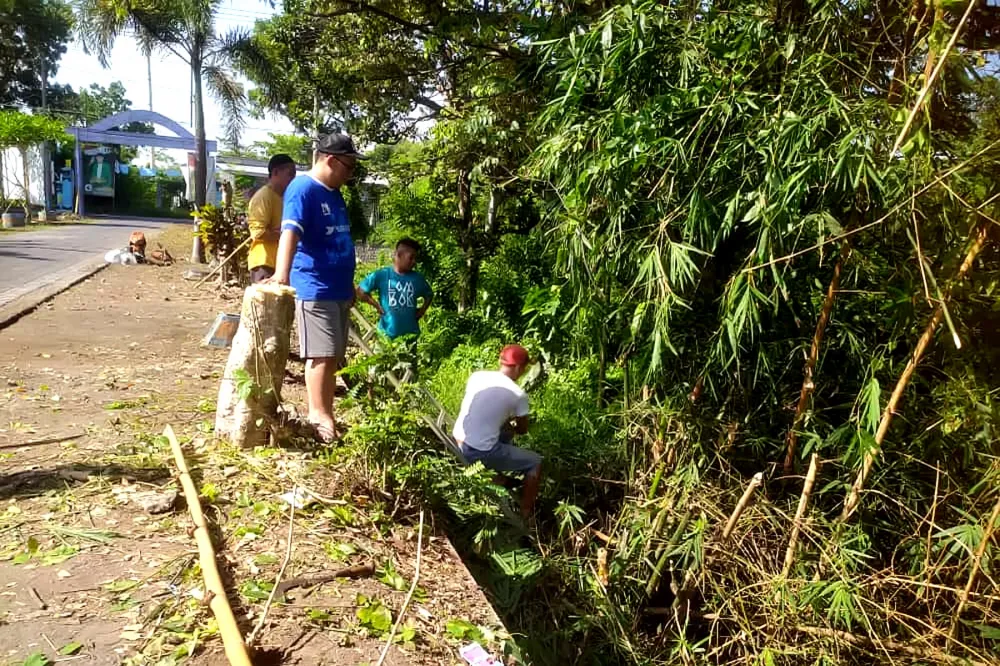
point(399, 287)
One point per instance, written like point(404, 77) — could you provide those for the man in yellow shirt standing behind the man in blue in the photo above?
point(264, 217)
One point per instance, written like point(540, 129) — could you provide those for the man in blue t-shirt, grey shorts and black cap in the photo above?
point(316, 257)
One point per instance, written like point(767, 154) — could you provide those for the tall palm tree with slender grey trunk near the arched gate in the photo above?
point(186, 29)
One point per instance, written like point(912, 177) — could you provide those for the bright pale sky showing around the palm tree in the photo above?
point(171, 76)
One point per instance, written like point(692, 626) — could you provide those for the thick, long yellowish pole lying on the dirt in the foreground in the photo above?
point(232, 639)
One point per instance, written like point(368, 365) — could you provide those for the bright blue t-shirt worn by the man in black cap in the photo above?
point(323, 268)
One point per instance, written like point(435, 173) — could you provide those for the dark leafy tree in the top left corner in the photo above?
point(33, 37)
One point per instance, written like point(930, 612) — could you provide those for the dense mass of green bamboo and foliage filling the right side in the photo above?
point(655, 196)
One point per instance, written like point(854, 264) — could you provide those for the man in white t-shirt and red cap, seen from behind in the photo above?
point(495, 409)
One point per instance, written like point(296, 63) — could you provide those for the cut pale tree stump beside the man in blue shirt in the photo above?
point(251, 386)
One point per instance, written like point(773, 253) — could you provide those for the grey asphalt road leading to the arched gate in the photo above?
point(33, 260)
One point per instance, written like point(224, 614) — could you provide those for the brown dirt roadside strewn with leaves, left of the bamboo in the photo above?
point(87, 384)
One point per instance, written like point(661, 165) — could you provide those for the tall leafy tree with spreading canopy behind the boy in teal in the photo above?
point(380, 70)
